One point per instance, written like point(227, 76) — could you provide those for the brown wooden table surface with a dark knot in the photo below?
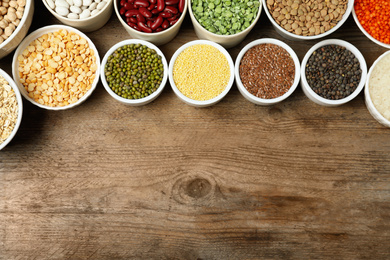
point(170, 181)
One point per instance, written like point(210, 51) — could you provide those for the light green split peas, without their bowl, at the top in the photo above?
point(225, 17)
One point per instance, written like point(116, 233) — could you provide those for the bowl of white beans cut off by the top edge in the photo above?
point(85, 15)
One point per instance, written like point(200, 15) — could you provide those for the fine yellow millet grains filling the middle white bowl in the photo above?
point(201, 72)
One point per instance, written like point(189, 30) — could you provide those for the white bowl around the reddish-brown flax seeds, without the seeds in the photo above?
point(262, 101)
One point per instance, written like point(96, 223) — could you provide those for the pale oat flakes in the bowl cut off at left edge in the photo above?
point(8, 109)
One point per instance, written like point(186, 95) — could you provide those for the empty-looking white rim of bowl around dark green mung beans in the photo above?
point(141, 101)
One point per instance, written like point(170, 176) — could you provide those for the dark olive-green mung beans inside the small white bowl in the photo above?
point(134, 71)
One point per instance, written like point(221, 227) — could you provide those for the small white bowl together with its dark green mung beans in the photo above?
point(134, 72)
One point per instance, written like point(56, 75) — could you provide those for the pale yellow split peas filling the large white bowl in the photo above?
point(58, 68)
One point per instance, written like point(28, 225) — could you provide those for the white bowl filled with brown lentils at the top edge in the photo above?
point(309, 19)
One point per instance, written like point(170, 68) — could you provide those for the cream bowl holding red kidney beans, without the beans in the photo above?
point(157, 38)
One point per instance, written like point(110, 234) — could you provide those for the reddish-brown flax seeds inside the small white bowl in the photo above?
point(267, 71)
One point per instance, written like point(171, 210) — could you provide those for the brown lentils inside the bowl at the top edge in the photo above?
point(307, 17)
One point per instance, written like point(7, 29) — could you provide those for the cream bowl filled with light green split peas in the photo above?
point(224, 22)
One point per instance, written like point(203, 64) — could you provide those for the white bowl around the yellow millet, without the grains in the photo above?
point(188, 100)
